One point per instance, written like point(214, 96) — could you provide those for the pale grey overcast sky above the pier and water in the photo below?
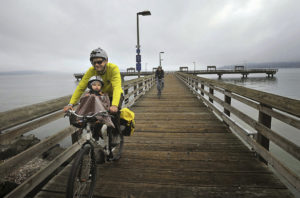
point(58, 35)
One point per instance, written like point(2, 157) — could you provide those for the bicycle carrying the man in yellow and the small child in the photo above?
point(82, 178)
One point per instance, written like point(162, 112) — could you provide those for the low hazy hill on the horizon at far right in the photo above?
point(266, 65)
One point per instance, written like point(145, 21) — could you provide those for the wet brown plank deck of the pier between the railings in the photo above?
point(179, 149)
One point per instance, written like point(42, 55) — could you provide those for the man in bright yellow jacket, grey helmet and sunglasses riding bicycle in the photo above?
point(111, 77)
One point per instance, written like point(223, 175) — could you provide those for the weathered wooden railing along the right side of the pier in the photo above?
point(268, 106)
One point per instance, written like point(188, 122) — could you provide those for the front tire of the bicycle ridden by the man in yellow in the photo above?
point(84, 164)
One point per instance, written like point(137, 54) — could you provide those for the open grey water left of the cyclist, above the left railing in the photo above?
point(21, 90)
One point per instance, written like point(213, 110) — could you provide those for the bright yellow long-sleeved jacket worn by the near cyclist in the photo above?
point(111, 79)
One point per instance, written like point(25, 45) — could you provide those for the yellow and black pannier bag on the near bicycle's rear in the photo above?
point(127, 121)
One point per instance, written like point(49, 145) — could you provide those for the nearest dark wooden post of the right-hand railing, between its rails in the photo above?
point(261, 139)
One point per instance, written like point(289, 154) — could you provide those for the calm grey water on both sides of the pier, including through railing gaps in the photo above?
point(21, 90)
